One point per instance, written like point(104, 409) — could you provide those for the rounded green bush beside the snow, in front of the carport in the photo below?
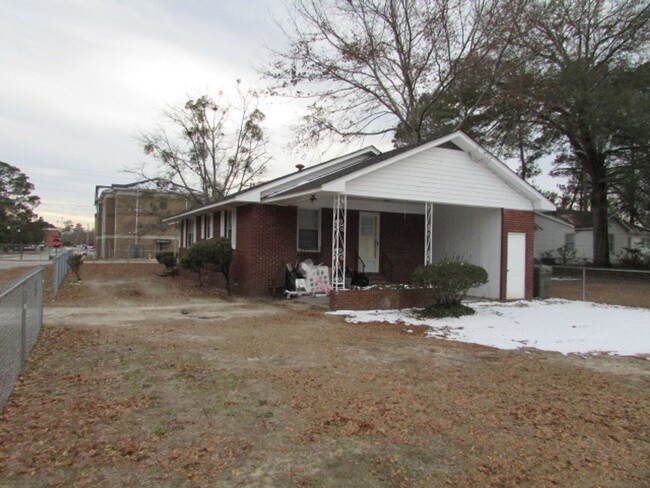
point(450, 279)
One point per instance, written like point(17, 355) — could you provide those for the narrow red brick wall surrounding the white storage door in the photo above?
point(518, 221)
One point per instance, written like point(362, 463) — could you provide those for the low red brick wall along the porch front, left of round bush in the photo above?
point(380, 299)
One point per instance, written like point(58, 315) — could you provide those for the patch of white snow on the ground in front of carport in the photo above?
point(551, 325)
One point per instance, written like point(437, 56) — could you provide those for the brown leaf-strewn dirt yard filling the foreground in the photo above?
point(138, 380)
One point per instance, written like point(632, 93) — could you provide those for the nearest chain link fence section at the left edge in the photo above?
point(21, 318)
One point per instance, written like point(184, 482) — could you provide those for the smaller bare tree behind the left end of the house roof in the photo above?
point(207, 148)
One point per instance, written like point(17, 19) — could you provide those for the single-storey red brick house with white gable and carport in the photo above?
point(383, 214)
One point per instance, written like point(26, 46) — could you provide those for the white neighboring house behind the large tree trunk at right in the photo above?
point(573, 230)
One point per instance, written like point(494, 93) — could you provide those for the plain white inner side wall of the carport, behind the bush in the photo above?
point(473, 234)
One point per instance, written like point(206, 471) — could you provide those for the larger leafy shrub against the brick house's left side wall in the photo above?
point(209, 255)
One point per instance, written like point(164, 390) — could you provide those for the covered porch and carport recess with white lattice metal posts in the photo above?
point(387, 239)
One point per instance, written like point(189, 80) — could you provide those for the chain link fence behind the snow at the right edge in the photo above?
point(602, 285)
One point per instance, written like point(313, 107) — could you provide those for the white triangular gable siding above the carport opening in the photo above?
point(442, 176)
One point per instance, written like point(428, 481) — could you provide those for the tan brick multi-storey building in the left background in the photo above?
point(129, 220)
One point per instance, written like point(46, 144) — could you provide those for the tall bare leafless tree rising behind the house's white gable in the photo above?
point(365, 65)
